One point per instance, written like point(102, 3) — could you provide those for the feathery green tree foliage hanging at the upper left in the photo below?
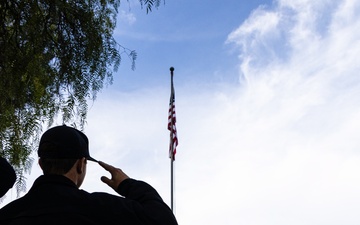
point(54, 57)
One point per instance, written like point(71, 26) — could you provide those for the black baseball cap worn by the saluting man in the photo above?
point(63, 142)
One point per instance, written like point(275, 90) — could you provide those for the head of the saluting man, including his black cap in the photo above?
point(62, 148)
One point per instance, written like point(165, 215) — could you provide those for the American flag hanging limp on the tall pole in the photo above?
point(172, 123)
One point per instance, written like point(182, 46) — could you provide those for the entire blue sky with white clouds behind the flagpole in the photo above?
point(267, 109)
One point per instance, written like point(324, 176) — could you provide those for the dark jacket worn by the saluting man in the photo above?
point(54, 199)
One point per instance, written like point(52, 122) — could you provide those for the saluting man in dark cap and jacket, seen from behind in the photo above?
point(55, 197)
